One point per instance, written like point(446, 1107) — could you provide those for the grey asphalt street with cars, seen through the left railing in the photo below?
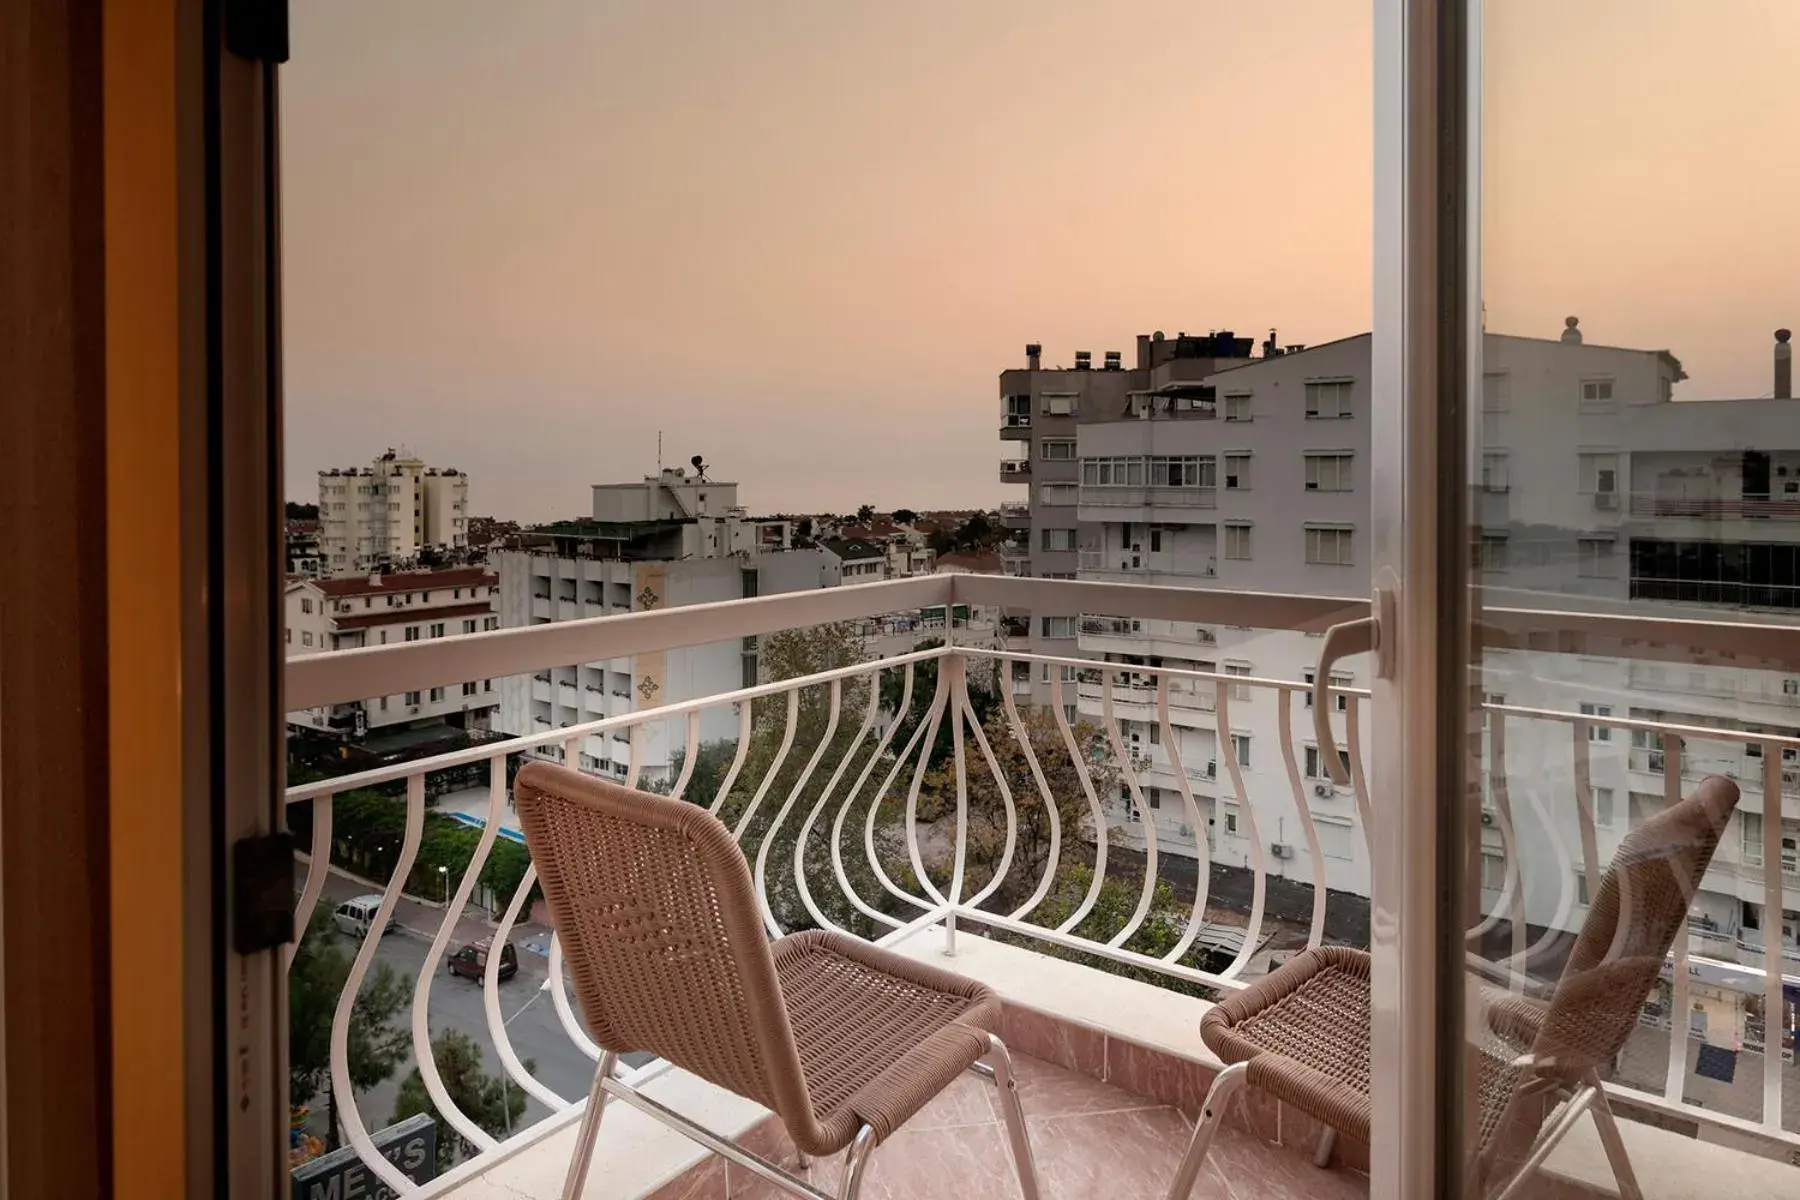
point(456, 1003)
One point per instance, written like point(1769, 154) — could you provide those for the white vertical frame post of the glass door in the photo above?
point(1421, 447)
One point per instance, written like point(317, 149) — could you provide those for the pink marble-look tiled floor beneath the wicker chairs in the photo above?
point(1092, 1142)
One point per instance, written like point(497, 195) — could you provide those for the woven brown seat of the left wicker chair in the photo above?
point(879, 1035)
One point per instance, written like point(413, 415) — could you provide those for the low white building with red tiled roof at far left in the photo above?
point(379, 611)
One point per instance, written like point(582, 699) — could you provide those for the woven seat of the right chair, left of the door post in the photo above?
point(1304, 1034)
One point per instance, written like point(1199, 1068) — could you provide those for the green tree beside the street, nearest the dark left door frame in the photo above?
point(377, 1044)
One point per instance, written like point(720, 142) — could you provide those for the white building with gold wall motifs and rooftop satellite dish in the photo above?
point(667, 541)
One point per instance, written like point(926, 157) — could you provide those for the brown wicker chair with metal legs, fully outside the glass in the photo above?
point(665, 942)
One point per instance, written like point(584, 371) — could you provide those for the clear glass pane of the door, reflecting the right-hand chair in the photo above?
point(1632, 922)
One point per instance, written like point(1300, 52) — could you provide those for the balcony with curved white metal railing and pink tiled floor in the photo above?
point(870, 845)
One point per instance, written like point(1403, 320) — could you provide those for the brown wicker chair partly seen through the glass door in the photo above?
point(1304, 1034)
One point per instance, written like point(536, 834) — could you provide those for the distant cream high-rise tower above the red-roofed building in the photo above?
point(388, 514)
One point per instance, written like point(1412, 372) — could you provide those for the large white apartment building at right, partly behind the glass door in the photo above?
point(1594, 483)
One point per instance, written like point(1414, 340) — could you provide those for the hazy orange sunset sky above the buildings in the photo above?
point(804, 237)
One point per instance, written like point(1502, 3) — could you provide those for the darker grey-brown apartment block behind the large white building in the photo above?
point(1041, 411)
